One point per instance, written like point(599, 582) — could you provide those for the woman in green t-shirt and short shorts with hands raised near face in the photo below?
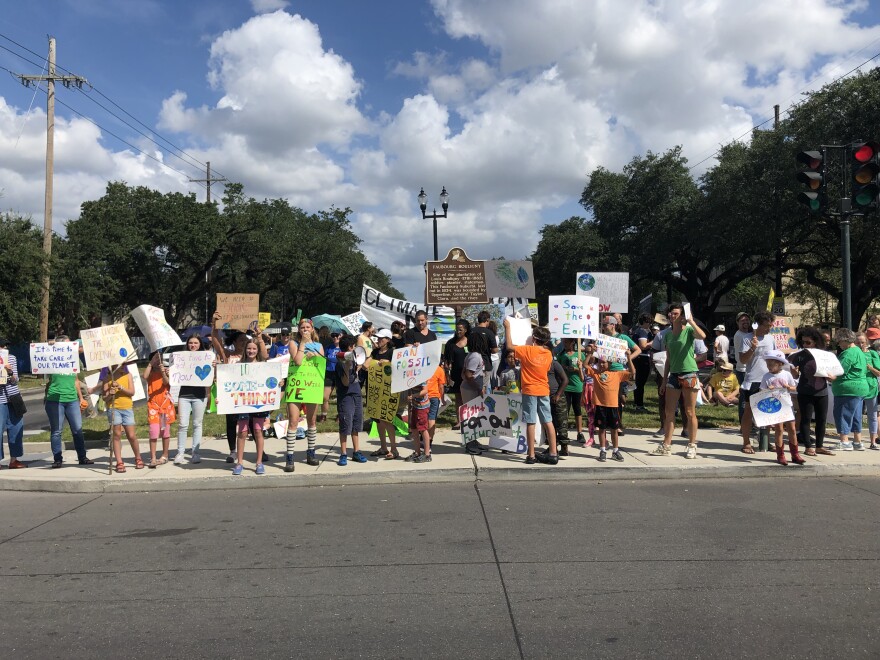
point(680, 378)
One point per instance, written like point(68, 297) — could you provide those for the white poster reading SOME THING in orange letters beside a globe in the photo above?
point(245, 387)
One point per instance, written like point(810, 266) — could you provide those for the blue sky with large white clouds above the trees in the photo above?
point(508, 103)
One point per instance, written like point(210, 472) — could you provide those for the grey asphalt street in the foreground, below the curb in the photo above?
point(685, 569)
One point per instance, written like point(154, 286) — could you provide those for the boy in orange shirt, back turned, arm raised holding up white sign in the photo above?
point(535, 361)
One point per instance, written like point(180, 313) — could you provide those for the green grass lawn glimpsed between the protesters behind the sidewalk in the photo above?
point(214, 425)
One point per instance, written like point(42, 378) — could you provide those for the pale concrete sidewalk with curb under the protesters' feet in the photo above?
point(719, 456)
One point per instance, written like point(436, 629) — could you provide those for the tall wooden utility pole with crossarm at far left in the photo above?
point(50, 79)
